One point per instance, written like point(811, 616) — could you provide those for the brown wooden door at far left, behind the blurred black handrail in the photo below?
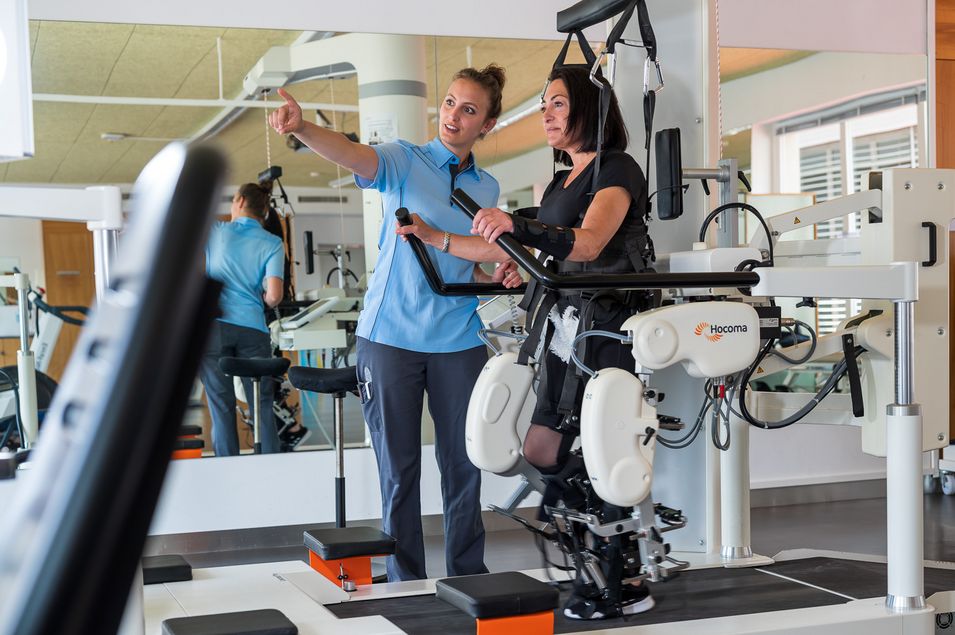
point(68, 258)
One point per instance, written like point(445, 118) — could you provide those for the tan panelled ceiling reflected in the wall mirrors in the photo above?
point(182, 62)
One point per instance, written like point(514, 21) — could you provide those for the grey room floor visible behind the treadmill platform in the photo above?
point(856, 526)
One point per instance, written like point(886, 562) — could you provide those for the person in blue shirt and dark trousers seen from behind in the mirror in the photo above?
point(249, 262)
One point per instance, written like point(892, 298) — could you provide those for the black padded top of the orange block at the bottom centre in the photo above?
point(497, 594)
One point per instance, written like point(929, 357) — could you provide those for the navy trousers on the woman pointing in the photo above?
point(399, 379)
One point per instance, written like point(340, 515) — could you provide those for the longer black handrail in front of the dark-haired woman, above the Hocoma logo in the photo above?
point(552, 280)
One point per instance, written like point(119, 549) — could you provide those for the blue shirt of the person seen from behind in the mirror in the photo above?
point(241, 255)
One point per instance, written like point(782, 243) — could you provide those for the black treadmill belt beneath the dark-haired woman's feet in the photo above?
point(692, 595)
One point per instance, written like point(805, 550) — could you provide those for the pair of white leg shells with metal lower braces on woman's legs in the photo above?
point(618, 436)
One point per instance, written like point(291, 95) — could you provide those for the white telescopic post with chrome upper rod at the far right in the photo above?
point(904, 475)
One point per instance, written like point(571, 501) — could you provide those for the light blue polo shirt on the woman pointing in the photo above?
point(401, 310)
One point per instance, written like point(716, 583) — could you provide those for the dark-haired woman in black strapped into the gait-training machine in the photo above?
point(586, 225)
